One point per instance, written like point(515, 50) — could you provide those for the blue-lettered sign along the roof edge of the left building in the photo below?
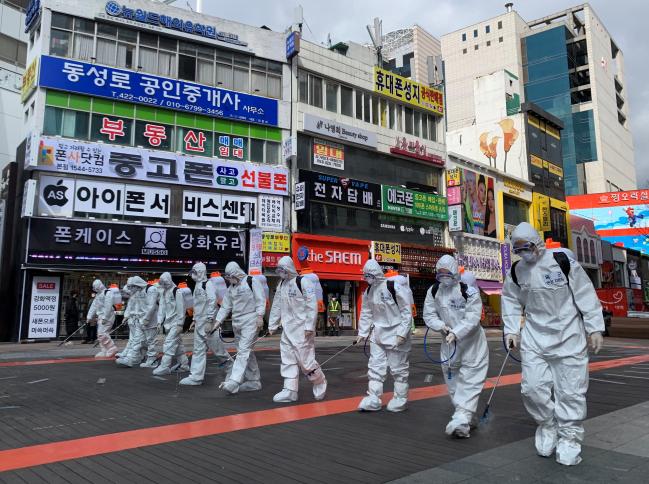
point(115, 10)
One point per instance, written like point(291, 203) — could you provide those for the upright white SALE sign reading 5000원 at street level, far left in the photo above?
point(44, 307)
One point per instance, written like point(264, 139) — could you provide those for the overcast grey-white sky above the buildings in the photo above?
point(346, 20)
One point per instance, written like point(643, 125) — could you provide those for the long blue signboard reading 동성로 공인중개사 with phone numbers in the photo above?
point(140, 88)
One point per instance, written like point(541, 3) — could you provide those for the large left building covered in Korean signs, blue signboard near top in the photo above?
point(154, 142)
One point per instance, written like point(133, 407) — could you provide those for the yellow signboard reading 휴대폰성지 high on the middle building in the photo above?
point(407, 91)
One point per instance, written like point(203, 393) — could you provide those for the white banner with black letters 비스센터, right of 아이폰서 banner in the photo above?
point(219, 208)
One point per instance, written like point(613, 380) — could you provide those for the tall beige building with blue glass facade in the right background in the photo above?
point(565, 63)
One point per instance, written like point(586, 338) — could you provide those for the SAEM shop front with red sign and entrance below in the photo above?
point(338, 262)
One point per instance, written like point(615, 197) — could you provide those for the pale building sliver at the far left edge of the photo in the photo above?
point(13, 57)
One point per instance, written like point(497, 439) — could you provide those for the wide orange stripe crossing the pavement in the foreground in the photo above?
point(103, 444)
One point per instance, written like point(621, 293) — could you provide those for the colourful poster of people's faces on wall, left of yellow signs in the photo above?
point(479, 206)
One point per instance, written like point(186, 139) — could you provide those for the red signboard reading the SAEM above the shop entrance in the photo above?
point(331, 257)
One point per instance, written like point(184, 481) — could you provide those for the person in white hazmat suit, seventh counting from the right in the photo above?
point(172, 317)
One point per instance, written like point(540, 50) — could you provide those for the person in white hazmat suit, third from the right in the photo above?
point(385, 320)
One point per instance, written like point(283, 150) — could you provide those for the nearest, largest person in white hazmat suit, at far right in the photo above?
point(560, 311)
